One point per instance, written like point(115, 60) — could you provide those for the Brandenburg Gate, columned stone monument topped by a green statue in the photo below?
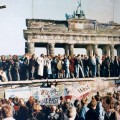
point(74, 32)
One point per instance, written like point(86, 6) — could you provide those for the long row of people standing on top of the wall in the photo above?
point(29, 67)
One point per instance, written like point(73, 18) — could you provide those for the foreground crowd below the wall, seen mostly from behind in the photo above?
point(98, 108)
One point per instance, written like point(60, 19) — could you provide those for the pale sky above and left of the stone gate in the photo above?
point(12, 19)
